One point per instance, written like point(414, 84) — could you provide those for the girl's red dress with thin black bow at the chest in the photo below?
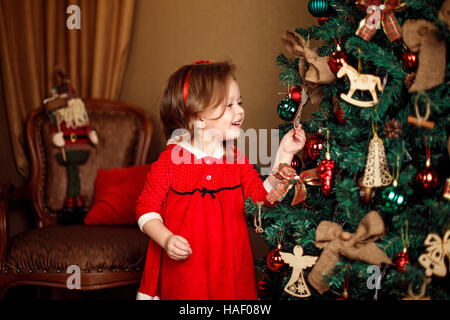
point(204, 203)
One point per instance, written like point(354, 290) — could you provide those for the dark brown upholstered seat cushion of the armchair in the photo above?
point(92, 248)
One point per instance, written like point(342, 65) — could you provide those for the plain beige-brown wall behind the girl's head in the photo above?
point(171, 33)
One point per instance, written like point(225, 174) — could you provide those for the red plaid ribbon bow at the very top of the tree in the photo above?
point(383, 13)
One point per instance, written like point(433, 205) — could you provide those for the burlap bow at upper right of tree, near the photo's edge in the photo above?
point(420, 36)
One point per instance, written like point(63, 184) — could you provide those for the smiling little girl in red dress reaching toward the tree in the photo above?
point(192, 204)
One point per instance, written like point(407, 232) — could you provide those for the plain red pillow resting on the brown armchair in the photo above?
point(116, 194)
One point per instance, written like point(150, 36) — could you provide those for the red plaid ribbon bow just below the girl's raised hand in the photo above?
point(289, 177)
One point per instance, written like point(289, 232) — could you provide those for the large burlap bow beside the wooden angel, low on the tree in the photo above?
point(356, 246)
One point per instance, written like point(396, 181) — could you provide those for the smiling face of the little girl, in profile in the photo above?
point(228, 126)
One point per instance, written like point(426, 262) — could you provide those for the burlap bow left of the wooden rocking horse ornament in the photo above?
point(313, 69)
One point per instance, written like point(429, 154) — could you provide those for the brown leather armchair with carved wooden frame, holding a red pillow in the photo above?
point(108, 256)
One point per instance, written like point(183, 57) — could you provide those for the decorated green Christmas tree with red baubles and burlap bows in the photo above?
point(375, 205)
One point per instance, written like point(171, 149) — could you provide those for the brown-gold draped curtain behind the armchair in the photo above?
point(34, 38)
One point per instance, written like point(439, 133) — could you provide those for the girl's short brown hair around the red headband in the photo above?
point(208, 88)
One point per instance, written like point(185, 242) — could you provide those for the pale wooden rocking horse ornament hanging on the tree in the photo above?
point(363, 82)
